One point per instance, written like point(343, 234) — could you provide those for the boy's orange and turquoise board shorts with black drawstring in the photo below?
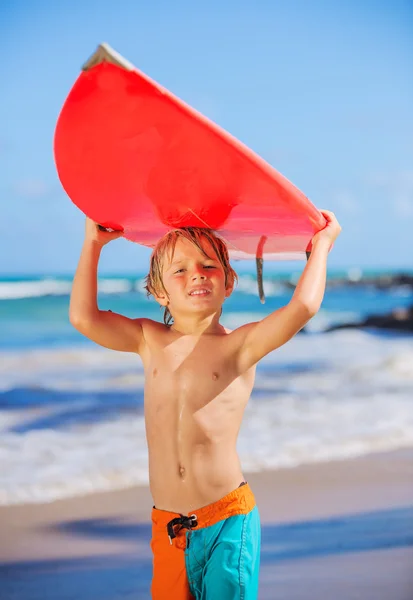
point(213, 553)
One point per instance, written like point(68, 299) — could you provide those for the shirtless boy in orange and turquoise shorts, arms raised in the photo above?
point(199, 377)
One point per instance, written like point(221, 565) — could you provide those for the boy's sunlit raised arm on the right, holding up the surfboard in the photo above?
point(280, 326)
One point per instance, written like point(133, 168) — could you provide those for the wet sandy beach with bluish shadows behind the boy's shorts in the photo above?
point(339, 530)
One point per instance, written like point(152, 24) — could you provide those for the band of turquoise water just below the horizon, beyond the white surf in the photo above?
point(34, 310)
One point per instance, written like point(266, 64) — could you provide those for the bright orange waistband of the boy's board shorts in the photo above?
point(238, 502)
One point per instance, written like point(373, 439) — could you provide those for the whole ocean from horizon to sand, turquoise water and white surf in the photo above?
point(71, 413)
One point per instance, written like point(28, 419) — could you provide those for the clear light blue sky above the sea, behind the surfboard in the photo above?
point(322, 90)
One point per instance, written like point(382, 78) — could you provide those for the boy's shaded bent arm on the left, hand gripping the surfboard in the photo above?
point(108, 329)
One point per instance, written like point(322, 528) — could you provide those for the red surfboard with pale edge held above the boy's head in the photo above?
point(133, 156)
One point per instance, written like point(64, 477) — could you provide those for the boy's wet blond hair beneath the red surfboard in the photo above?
point(166, 247)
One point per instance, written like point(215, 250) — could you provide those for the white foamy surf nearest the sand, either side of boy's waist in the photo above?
point(277, 432)
